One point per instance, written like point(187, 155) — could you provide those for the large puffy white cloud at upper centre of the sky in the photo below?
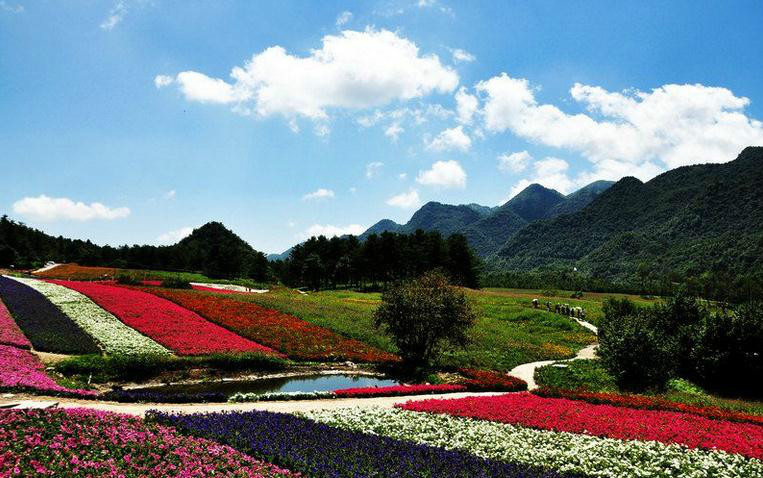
point(352, 69)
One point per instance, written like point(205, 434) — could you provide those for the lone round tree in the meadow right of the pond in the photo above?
point(424, 316)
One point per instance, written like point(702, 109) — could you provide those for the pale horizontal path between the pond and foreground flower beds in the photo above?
point(292, 406)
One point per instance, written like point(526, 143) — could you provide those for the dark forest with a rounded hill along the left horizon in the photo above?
point(211, 249)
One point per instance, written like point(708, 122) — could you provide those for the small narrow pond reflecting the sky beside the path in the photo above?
point(300, 383)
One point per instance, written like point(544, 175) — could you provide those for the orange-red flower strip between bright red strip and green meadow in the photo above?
point(295, 337)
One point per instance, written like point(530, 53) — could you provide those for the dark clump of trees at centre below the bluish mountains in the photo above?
point(321, 263)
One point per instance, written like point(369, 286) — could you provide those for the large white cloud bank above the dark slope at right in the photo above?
point(628, 133)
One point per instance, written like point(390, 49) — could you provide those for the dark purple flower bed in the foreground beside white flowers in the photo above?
point(321, 451)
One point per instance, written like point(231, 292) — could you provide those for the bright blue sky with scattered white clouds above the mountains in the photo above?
point(121, 121)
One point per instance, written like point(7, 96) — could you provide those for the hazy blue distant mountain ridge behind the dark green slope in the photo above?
point(488, 228)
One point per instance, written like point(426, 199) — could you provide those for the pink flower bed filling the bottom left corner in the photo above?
point(85, 443)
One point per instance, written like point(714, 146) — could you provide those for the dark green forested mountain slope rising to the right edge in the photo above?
point(687, 220)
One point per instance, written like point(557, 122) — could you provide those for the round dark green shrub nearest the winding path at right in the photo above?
point(633, 348)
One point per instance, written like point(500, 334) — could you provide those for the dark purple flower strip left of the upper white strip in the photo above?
point(46, 327)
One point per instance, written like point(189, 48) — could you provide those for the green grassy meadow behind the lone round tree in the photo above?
point(508, 331)
